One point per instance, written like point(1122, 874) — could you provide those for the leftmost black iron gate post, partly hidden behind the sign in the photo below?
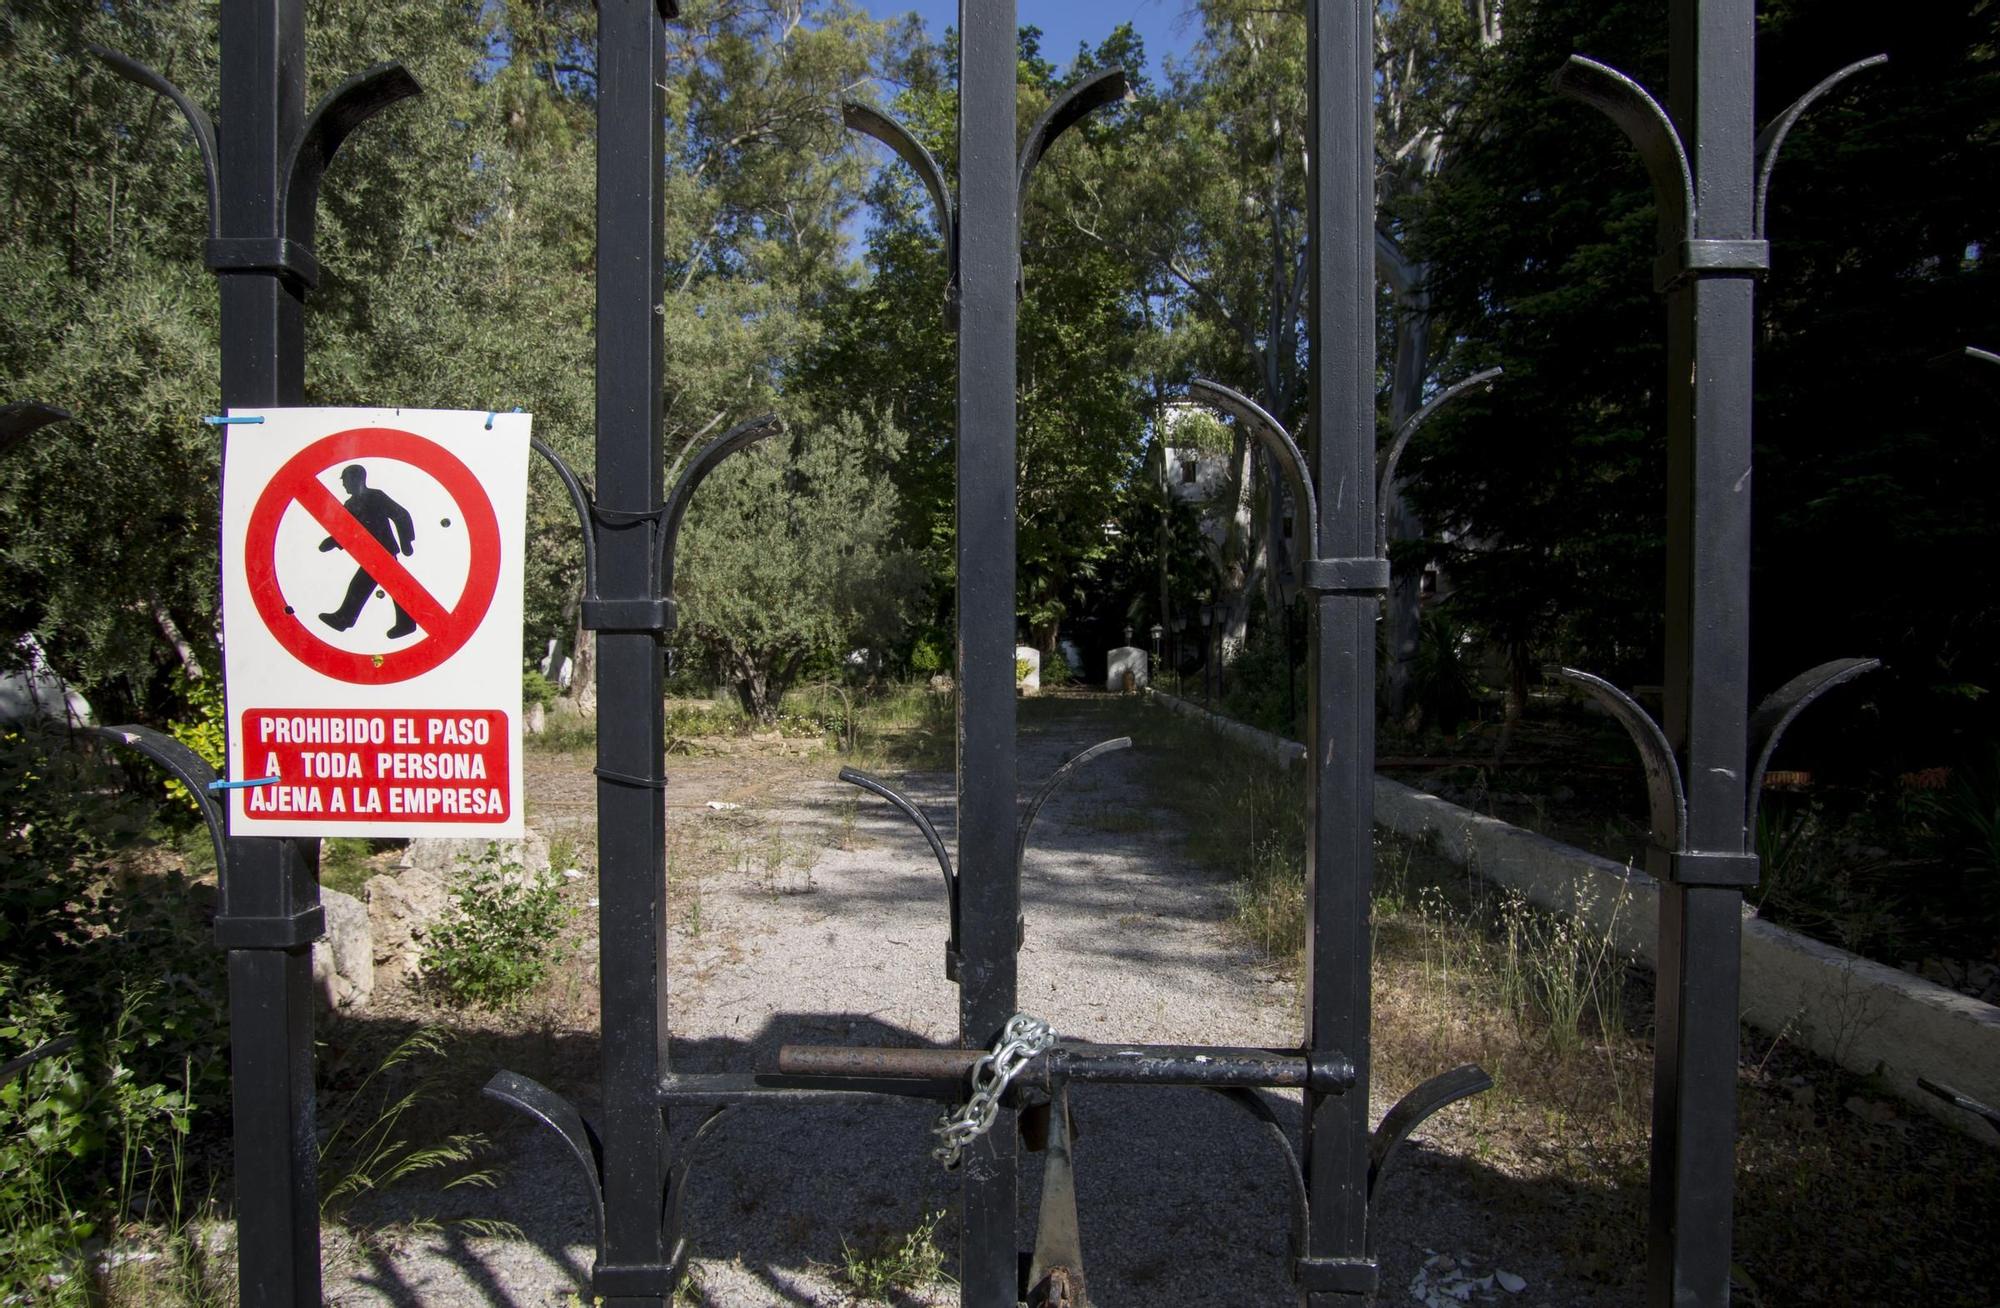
point(263, 195)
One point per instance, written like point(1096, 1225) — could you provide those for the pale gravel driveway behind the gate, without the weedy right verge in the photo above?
point(805, 911)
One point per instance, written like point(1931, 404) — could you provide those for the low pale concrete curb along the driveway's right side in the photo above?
point(1857, 1013)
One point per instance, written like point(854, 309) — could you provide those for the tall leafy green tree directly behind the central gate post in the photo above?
point(1083, 411)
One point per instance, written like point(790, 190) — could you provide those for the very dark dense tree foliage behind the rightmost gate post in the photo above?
point(1547, 499)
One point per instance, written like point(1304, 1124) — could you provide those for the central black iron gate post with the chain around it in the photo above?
point(985, 549)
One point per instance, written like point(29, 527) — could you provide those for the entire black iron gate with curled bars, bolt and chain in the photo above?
point(1011, 1077)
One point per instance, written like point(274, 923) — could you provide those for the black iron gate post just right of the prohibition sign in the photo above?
point(635, 1267)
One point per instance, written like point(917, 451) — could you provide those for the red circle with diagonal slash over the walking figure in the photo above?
point(447, 627)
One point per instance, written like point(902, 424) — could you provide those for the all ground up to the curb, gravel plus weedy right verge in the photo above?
point(807, 911)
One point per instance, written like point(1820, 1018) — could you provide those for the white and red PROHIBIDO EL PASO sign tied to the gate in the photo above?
point(371, 599)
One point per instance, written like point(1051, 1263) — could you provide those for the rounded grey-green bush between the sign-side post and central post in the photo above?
point(789, 557)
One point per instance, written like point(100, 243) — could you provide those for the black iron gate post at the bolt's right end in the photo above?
point(1345, 587)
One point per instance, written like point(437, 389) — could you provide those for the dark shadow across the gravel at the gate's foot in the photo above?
point(1183, 1197)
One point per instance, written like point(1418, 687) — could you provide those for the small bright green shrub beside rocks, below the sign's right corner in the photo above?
point(497, 943)
